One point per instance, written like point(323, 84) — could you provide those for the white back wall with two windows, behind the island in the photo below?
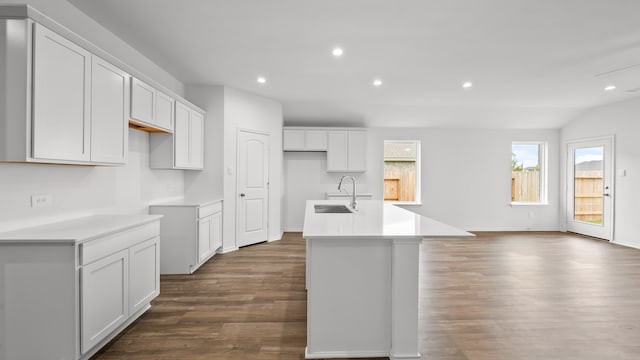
point(465, 178)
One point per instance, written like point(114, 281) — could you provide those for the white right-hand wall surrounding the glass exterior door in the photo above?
point(621, 120)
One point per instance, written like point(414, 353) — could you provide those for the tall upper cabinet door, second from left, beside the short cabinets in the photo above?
point(109, 109)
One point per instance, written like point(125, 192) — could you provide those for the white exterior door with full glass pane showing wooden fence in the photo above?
point(590, 187)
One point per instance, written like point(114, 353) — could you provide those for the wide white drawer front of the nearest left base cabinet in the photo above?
point(97, 249)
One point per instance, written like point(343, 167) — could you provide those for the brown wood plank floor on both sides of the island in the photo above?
point(498, 296)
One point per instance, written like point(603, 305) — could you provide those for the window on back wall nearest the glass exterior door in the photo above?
point(528, 172)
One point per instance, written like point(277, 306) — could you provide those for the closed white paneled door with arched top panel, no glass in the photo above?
point(253, 187)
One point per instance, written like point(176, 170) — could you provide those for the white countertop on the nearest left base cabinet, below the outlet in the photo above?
point(77, 231)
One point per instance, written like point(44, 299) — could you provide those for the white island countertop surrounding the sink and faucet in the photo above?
point(374, 218)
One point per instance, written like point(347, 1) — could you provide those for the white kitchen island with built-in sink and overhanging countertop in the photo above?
point(362, 279)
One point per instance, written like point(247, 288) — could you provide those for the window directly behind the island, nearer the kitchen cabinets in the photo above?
point(402, 171)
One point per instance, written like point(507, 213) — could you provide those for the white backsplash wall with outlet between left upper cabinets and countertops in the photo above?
point(84, 190)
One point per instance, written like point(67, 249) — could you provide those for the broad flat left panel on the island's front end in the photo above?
point(349, 298)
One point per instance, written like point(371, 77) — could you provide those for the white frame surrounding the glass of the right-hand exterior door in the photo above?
point(569, 171)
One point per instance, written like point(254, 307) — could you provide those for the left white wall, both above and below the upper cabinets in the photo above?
point(81, 190)
